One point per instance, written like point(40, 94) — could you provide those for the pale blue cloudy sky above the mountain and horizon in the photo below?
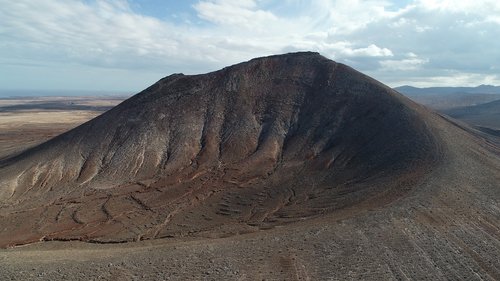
point(125, 46)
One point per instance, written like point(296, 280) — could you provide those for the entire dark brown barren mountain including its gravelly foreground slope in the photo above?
point(288, 167)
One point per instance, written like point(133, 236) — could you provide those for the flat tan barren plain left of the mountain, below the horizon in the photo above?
point(25, 122)
